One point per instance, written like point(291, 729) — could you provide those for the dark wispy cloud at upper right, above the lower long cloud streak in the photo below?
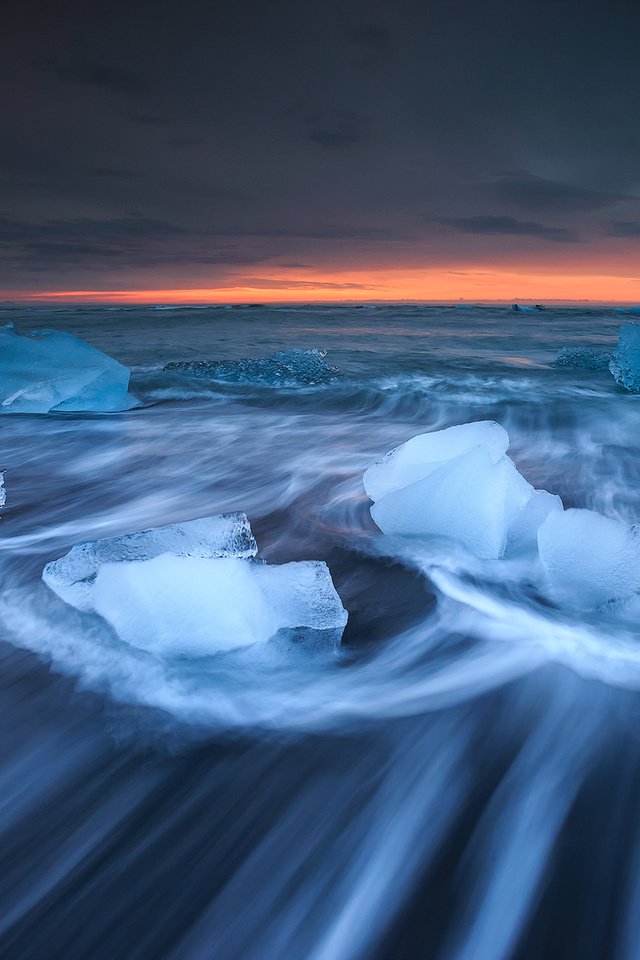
point(537, 193)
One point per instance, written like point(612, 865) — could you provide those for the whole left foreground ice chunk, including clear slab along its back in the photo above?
point(196, 589)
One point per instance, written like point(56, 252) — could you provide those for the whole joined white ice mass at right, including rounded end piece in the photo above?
point(477, 498)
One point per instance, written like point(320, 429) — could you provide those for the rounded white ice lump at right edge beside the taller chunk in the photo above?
point(589, 559)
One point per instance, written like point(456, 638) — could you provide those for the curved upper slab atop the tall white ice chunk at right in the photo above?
point(421, 455)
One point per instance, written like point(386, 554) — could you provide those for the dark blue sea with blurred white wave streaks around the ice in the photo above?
point(461, 782)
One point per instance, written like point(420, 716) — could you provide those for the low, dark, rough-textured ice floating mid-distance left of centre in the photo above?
point(283, 368)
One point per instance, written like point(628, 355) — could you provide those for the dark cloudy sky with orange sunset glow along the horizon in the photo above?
point(320, 151)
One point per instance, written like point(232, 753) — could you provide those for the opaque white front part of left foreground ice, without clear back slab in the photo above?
point(191, 606)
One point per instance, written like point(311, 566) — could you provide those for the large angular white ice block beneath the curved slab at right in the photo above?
point(472, 499)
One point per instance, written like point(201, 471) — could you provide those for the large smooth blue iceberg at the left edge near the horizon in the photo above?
point(47, 370)
